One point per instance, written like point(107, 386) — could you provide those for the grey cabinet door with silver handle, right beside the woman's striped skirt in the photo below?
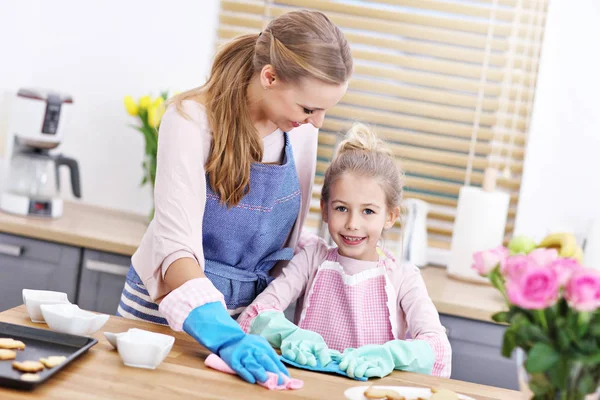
point(102, 280)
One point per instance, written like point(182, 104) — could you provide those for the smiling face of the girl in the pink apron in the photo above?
point(356, 214)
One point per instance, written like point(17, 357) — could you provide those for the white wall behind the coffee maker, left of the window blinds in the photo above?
point(98, 51)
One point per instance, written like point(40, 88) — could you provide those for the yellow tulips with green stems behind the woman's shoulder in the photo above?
point(149, 110)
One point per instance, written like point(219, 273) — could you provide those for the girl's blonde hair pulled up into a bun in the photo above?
point(364, 154)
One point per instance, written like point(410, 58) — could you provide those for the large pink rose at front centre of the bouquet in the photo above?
point(533, 288)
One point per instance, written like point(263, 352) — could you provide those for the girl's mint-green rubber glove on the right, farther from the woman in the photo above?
point(380, 360)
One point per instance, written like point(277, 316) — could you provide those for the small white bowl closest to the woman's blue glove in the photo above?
point(142, 349)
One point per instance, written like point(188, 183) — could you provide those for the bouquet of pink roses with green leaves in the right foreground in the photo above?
point(553, 313)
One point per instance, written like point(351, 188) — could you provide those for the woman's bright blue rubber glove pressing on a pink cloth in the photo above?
point(250, 356)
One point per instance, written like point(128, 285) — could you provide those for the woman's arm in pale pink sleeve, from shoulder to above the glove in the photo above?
point(180, 194)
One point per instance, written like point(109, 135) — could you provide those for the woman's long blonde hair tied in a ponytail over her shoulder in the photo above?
point(299, 44)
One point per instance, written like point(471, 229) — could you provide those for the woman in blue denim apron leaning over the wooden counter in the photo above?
point(236, 161)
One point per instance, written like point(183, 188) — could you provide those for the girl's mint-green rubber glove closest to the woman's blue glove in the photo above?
point(299, 345)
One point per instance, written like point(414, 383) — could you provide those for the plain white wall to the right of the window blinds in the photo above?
point(561, 182)
